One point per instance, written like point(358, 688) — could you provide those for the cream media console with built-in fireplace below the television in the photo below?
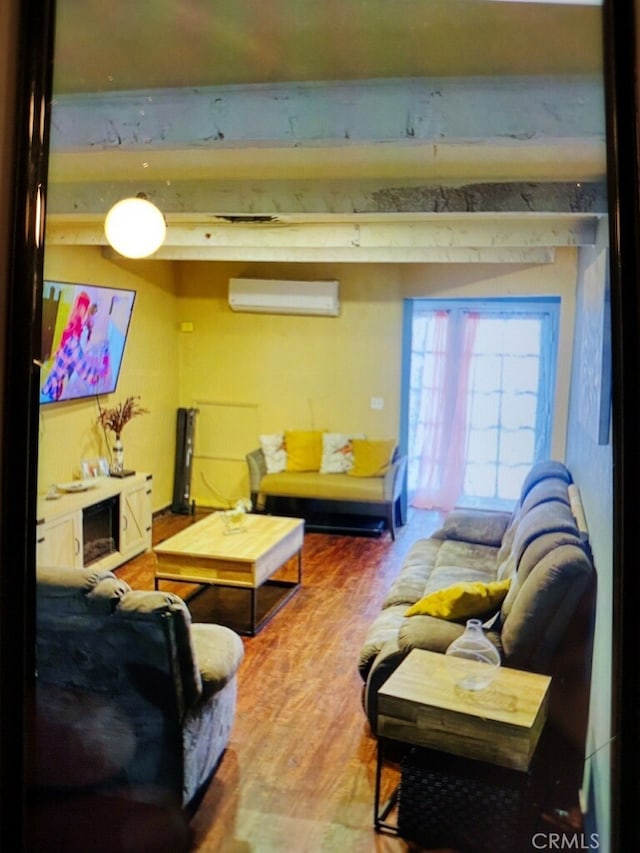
point(104, 525)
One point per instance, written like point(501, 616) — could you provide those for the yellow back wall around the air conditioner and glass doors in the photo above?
point(253, 373)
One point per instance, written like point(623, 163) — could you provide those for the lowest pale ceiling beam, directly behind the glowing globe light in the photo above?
point(435, 238)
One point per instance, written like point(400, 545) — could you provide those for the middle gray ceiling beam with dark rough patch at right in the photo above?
point(281, 199)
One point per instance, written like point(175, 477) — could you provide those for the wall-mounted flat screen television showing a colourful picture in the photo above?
point(84, 333)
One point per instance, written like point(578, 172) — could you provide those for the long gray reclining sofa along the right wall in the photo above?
point(545, 622)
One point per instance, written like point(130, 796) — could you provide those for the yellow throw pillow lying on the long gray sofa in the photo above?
point(462, 600)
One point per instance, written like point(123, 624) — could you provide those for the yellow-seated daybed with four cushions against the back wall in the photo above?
point(318, 470)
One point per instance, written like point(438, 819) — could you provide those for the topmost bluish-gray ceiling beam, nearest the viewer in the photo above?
point(383, 111)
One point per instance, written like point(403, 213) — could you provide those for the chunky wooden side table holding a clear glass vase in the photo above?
point(486, 738)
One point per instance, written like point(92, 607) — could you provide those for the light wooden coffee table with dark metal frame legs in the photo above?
point(206, 554)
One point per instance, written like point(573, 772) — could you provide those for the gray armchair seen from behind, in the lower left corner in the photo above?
point(130, 694)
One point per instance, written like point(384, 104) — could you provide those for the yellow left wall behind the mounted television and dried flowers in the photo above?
point(68, 431)
